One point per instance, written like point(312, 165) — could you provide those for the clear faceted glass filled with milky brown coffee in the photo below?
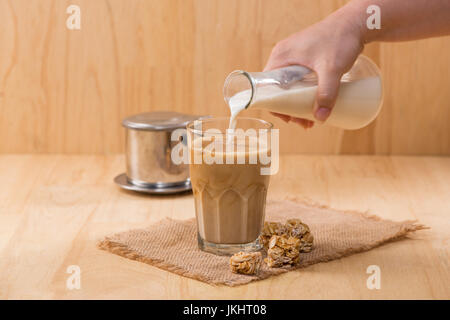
point(229, 176)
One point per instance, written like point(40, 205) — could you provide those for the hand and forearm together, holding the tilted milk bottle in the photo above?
point(331, 46)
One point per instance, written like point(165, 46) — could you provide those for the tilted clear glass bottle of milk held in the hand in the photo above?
point(292, 91)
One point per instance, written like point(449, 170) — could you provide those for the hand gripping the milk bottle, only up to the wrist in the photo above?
point(329, 47)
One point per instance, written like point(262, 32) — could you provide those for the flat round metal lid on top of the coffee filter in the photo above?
point(158, 121)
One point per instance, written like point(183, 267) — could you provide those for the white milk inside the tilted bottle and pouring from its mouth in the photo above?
point(358, 102)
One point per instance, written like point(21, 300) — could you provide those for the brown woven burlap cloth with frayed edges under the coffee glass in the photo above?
point(172, 244)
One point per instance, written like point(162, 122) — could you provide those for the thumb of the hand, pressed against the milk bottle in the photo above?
point(327, 92)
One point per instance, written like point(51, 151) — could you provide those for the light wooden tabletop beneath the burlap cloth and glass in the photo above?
point(53, 209)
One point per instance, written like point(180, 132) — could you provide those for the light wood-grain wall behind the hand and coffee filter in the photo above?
point(64, 91)
